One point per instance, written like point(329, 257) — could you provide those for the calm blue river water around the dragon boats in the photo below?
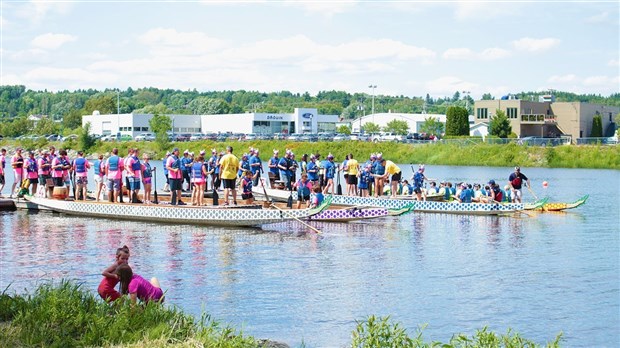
point(540, 275)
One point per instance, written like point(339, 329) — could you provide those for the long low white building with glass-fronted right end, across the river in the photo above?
point(300, 121)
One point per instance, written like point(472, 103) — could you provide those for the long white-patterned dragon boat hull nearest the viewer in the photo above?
point(193, 215)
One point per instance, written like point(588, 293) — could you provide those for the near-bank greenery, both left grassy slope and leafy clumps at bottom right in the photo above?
point(66, 315)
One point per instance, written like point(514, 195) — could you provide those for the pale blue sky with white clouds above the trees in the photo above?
point(409, 48)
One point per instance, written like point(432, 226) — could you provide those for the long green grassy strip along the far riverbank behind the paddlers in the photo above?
point(463, 154)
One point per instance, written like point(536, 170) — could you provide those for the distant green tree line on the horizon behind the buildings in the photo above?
point(64, 109)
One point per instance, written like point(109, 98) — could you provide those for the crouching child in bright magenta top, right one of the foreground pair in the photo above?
point(138, 287)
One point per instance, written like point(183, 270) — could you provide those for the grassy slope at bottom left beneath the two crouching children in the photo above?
point(65, 315)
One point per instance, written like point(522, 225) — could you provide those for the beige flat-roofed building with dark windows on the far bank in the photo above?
point(547, 118)
